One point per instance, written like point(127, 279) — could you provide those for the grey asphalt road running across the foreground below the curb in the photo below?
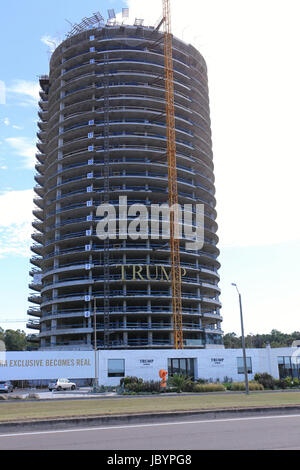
point(251, 433)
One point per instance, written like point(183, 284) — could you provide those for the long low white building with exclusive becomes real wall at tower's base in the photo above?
point(111, 365)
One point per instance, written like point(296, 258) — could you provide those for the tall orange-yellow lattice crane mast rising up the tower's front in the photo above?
point(172, 179)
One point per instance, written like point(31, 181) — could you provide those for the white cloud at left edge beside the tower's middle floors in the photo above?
point(15, 222)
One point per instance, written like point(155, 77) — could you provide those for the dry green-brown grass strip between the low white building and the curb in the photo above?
point(14, 411)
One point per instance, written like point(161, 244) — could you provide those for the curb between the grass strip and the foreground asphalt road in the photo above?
point(143, 418)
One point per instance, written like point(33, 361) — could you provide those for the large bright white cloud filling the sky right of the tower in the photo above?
point(251, 50)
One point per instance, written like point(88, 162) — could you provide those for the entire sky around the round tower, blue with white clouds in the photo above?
point(251, 49)
